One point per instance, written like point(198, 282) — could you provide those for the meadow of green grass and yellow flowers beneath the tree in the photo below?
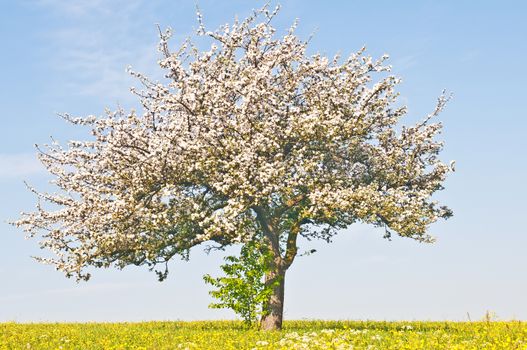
point(295, 335)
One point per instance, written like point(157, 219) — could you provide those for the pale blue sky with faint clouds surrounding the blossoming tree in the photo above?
point(70, 56)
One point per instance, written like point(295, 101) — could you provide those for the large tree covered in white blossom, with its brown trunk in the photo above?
point(253, 138)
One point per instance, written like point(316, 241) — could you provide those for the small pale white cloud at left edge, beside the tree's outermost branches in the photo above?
point(19, 165)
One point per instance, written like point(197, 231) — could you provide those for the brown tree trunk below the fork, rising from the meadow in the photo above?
point(274, 308)
